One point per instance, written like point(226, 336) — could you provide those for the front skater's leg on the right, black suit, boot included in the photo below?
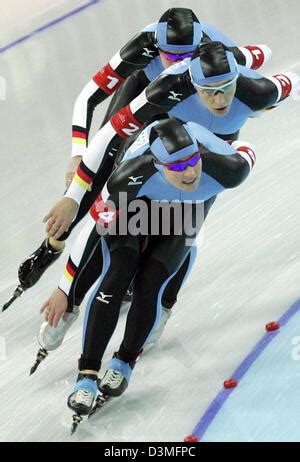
point(161, 261)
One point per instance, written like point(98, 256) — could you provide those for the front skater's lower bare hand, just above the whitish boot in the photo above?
point(55, 307)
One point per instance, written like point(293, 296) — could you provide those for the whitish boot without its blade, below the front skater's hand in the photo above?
point(51, 338)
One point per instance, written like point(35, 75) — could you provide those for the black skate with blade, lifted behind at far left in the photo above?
point(32, 268)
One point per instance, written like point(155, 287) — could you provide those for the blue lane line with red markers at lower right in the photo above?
point(220, 399)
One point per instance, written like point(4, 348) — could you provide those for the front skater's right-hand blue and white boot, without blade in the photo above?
point(116, 377)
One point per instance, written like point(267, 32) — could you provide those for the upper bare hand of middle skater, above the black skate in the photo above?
point(60, 217)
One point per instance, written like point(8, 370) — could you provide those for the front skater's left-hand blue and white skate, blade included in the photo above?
point(82, 398)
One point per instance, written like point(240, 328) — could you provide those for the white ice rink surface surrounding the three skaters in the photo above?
point(248, 268)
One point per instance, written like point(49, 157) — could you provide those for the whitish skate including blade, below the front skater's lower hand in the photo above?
point(50, 338)
